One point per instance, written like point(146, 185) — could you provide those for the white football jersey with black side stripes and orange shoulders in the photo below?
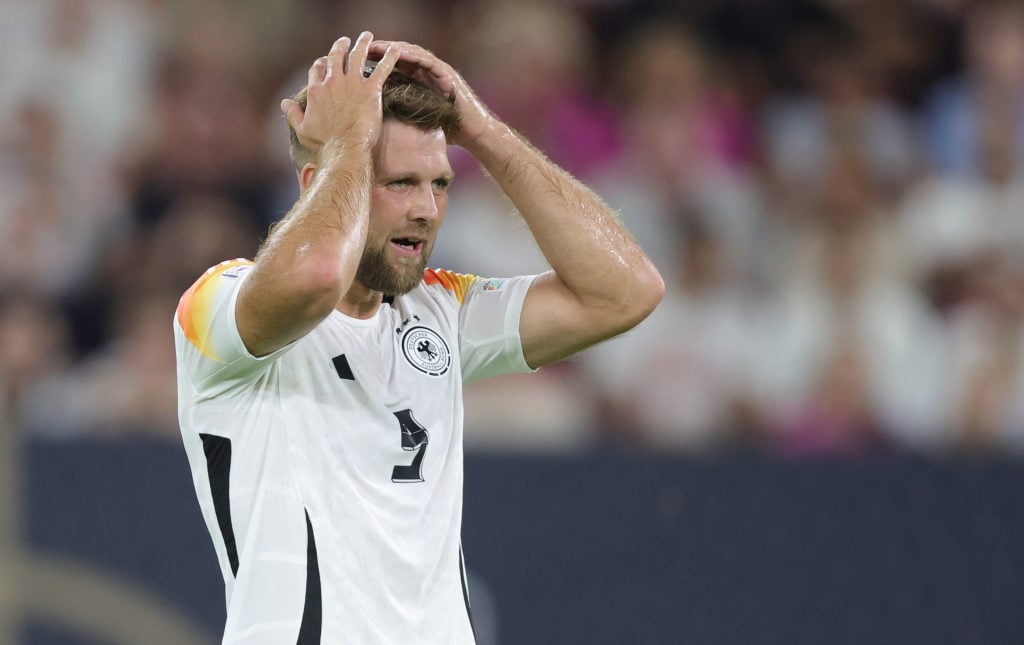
point(330, 472)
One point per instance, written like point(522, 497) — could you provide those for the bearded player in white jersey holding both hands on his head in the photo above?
point(321, 384)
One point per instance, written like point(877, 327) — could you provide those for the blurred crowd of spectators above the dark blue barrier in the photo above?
point(834, 191)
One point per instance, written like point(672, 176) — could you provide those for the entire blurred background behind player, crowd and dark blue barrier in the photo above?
point(817, 439)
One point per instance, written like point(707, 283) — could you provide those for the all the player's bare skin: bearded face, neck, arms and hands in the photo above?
point(351, 239)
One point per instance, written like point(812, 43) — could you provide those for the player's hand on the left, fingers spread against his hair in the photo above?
point(342, 103)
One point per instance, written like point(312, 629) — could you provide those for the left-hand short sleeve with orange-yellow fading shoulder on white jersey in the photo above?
point(207, 335)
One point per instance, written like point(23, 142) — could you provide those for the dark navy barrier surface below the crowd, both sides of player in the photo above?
point(613, 548)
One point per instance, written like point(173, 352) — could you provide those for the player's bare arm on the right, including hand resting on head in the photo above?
point(602, 282)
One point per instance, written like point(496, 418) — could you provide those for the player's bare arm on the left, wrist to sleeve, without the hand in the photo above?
point(310, 261)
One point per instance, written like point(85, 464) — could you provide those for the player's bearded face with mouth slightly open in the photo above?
point(407, 206)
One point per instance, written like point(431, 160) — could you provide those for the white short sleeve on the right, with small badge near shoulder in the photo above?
point(489, 327)
